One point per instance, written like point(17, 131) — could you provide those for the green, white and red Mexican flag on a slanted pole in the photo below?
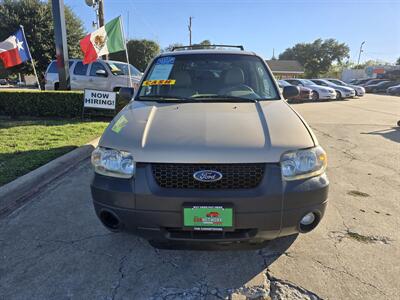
point(107, 39)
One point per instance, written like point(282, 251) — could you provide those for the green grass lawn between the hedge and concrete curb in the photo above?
point(28, 144)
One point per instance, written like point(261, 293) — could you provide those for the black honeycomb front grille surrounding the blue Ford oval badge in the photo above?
point(234, 176)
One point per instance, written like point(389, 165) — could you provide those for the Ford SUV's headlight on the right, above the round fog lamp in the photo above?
point(303, 163)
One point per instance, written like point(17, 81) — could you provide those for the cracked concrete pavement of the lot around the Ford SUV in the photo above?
point(55, 248)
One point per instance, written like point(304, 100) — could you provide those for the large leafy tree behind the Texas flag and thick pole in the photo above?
point(36, 17)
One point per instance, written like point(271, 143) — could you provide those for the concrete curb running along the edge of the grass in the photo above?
point(16, 193)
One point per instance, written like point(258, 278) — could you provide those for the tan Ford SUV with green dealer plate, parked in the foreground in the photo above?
point(208, 151)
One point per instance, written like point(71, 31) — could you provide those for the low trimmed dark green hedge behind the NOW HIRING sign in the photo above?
point(34, 103)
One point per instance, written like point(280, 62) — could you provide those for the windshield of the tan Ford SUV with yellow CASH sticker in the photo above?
point(208, 76)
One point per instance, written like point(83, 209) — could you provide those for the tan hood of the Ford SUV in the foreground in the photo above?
point(208, 132)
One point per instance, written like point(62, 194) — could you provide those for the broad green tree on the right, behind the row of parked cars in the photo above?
point(317, 57)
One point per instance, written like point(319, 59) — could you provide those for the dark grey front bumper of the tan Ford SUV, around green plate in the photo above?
point(271, 210)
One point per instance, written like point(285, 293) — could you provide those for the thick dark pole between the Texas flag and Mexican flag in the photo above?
point(60, 37)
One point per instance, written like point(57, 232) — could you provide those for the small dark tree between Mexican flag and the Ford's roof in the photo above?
point(140, 53)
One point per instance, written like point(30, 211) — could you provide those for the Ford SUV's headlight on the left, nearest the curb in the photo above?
point(113, 163)
